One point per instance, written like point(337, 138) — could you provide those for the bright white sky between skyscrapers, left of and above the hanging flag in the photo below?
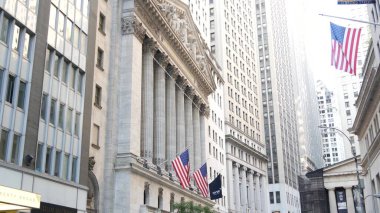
point(318, 36)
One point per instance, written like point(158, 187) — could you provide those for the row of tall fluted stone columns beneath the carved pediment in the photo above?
point(172, 115)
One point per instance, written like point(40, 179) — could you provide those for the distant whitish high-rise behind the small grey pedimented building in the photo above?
point(332, 141)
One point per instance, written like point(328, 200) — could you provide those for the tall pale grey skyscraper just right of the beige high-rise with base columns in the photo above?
point(280, 120)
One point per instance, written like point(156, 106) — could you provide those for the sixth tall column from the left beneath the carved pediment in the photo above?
point(196, 131)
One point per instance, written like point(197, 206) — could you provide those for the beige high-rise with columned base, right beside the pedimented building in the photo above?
point(232, 41)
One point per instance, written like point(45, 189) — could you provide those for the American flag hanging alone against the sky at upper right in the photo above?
point(344, 47)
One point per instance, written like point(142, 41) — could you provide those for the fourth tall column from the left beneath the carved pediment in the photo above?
point(180, 111)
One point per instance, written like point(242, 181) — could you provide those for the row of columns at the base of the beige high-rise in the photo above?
point(249, 190)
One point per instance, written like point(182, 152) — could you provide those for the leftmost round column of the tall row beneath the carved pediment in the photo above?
point(149, 48)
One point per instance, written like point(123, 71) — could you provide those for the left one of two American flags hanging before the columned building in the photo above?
point(182, 168)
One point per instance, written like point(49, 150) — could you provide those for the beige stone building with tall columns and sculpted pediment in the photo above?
point(160, 76)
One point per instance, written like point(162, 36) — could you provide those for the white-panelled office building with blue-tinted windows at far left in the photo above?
point(43, 52)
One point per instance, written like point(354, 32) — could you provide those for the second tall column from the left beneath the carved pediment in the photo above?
point(159, 131)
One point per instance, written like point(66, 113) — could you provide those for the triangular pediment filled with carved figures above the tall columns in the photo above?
point(178, 16)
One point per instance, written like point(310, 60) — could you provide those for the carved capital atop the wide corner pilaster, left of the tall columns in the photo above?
point(130, 24)
